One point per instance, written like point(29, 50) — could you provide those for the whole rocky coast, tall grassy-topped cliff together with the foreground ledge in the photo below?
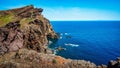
point(24, 39)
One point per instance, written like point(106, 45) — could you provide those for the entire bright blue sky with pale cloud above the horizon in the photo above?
point(64, 10)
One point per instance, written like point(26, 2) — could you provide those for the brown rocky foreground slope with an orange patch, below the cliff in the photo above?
point(31, 59)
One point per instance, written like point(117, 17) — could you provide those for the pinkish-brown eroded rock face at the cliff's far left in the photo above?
point(11, 37)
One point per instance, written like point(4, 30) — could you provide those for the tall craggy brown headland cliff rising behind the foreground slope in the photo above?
point(31, 30)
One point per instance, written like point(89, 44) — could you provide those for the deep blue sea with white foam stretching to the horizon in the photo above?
point(95, 41)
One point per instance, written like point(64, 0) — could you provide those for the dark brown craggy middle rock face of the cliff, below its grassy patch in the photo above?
point(36, 37)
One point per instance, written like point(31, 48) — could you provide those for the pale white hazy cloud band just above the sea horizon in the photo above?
point(79, 14)
